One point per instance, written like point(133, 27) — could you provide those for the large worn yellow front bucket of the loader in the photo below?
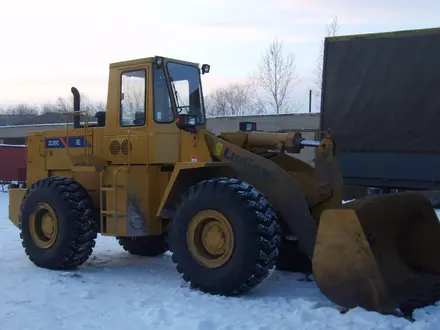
point(381, 253)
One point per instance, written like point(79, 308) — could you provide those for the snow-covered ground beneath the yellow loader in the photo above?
point(115, 290)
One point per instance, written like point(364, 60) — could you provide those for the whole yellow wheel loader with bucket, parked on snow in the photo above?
point(230, 207)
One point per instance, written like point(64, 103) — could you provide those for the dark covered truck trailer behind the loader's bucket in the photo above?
point(381, 104)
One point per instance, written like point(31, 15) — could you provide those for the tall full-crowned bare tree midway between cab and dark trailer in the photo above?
point(275, 80)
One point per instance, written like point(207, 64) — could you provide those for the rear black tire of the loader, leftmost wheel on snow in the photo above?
point(75, 225)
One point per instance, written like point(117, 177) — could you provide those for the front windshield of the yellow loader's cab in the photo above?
point(186, 90)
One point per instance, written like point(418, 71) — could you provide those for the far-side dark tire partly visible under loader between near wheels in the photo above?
point(146, 246)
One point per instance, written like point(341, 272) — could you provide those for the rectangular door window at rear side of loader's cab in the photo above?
point(133, 98)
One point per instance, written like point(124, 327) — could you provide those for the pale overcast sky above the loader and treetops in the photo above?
point(47, 46)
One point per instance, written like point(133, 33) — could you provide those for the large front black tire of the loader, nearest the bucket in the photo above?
point(255, 235)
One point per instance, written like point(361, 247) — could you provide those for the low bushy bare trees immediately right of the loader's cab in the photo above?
point(232, 100)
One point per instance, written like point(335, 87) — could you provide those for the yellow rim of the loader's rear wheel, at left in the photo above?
point(43, 225)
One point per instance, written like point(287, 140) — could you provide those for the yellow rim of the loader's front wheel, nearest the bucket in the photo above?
point(210, 239)
